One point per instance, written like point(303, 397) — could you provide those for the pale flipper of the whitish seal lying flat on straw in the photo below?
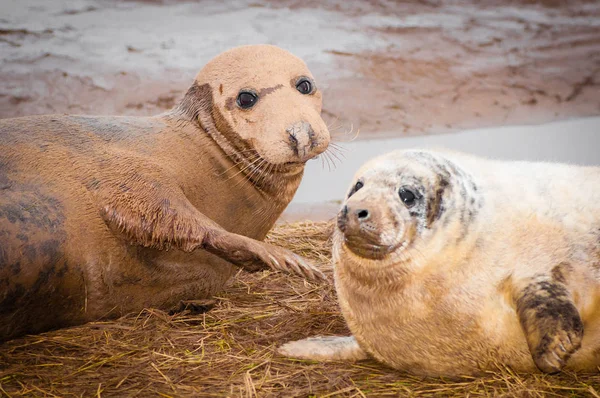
point(327, 348)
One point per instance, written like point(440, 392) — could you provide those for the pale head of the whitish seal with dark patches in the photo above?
point(394, 204)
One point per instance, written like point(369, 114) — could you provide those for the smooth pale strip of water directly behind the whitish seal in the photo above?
point(574, 141)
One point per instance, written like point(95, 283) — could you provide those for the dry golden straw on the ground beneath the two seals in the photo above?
point(230, 350)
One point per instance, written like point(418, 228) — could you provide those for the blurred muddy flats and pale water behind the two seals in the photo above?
point(388, 69)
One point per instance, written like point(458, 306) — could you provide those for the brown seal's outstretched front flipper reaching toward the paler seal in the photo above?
point(144, 210)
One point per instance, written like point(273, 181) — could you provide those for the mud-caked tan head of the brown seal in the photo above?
point(261, 105)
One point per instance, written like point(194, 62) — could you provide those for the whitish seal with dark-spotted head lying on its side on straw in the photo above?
point(449, 264)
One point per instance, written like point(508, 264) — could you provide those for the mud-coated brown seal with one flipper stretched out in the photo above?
point(100, 216)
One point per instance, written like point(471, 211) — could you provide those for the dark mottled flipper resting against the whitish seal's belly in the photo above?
point(550, 321)
